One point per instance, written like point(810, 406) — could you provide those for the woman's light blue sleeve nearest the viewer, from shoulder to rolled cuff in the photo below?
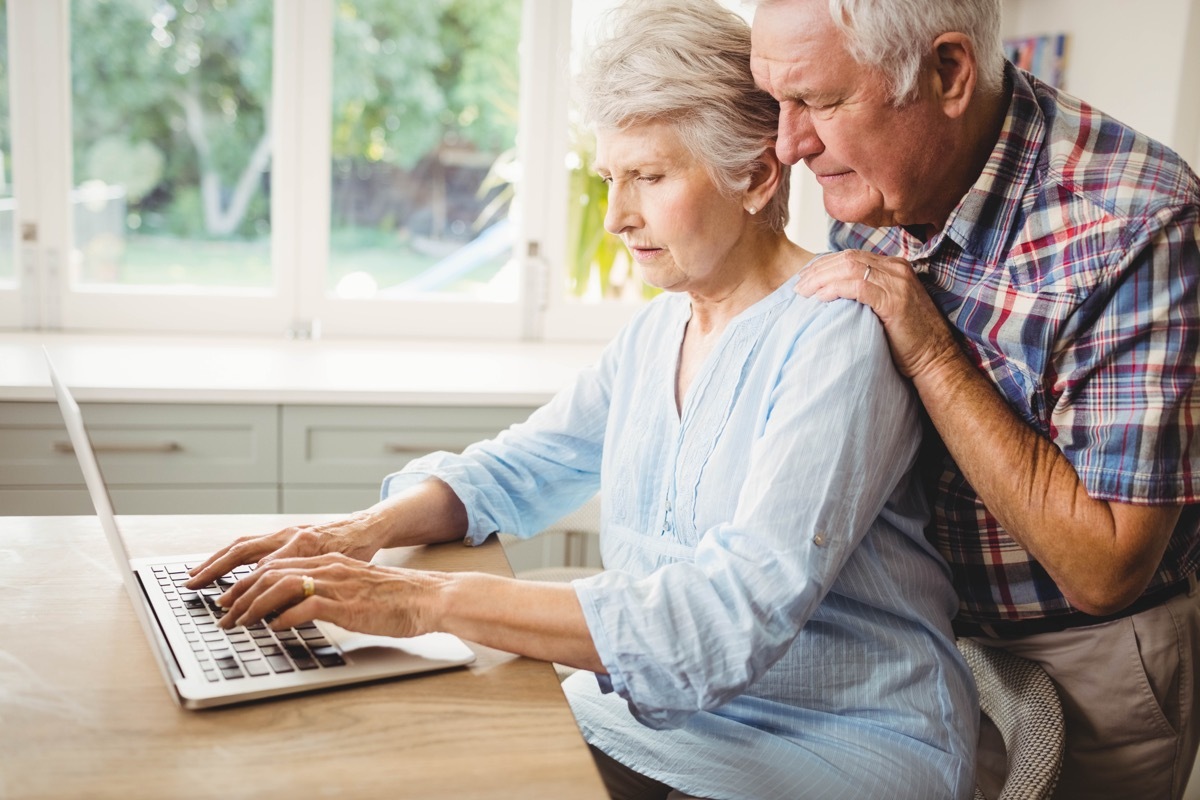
point(838, 437)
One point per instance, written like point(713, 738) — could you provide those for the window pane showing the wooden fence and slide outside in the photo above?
point(423, 147)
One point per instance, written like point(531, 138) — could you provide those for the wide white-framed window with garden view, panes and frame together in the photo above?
point(345, 167)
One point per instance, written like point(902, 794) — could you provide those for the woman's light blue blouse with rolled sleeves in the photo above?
point(772, 619)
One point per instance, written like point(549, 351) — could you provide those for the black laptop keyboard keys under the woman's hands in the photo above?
point(243, 652)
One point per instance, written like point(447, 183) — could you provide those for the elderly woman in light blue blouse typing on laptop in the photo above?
point(772, 622)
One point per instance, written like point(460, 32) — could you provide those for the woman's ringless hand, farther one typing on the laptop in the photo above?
point(355, 537)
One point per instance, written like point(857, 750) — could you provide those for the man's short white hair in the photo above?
point(895, 37)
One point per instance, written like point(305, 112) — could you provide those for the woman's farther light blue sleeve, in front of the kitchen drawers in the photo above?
point(535, 473)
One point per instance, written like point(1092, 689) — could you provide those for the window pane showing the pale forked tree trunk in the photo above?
point(171, 145)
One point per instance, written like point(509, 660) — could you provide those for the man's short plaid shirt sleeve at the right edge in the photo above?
point(1127, 414)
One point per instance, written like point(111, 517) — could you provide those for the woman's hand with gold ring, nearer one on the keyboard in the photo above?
point(335, 588)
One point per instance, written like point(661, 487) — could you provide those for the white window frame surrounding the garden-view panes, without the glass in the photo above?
point(297, 304)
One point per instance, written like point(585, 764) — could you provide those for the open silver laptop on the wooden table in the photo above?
point(206, 666)
